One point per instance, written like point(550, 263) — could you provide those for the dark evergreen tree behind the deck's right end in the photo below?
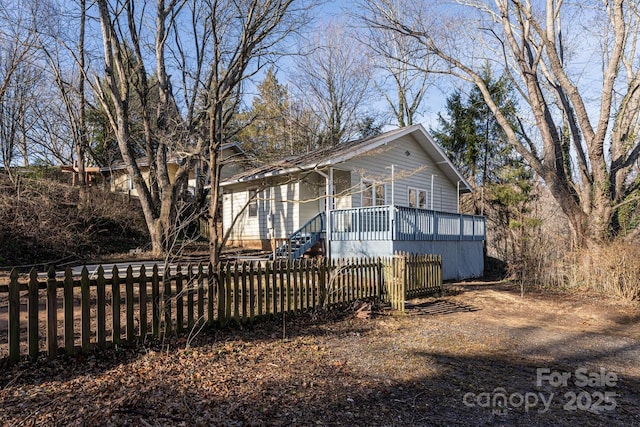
point(503, 184)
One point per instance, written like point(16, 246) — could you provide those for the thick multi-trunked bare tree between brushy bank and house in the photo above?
point(124, 61)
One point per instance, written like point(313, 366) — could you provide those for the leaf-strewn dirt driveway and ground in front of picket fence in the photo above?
point(480, 355)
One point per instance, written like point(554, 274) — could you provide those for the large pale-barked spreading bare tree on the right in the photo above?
point(583, 140)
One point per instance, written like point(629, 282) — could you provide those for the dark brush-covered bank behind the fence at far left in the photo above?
point(42, 221)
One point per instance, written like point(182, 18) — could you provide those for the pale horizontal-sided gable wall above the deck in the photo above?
point(412, 170)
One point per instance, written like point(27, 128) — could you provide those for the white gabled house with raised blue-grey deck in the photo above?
point(393, 192)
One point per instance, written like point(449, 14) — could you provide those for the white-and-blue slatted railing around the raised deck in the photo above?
point(404, 223)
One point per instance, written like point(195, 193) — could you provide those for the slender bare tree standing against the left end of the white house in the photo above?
point(245, 37)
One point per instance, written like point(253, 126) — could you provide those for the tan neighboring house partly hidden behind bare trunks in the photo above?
point(234, 160)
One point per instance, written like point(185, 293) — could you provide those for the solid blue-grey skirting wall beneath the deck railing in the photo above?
point(460, 259)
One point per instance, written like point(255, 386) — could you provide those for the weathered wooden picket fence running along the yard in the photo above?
point(76, 314)
